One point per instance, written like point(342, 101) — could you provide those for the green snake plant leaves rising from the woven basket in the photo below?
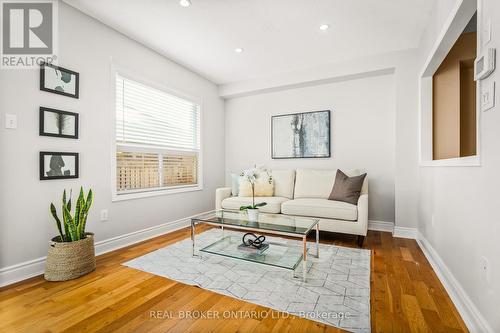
point(72, 227)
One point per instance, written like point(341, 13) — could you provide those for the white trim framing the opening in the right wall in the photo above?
point(452, 29)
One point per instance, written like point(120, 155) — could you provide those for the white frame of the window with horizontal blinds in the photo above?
point(150, 192)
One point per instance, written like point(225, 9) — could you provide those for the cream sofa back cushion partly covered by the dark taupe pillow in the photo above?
point(311, 183)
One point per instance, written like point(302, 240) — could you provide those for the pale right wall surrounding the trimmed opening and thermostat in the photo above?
point(464, 200)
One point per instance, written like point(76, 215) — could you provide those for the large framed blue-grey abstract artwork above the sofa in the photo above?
point(301, 135)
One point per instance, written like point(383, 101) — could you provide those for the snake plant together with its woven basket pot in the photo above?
point(71, 254)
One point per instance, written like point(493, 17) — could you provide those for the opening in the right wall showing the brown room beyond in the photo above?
point(454, 103)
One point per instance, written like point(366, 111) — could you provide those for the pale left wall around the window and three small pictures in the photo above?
point(86, 46)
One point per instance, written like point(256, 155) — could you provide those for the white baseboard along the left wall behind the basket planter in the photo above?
point(35, 267)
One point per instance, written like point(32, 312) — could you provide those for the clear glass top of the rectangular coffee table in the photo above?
point(272, 222)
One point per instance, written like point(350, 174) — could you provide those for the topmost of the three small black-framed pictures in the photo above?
point(59, 80)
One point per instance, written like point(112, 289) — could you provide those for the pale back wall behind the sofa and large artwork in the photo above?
point(362, 132)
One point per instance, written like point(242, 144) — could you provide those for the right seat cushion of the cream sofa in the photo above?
point(324, 208)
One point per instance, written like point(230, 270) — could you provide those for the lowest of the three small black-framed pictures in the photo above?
point(59, 165)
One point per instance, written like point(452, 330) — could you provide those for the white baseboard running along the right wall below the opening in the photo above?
point(468, 311)
